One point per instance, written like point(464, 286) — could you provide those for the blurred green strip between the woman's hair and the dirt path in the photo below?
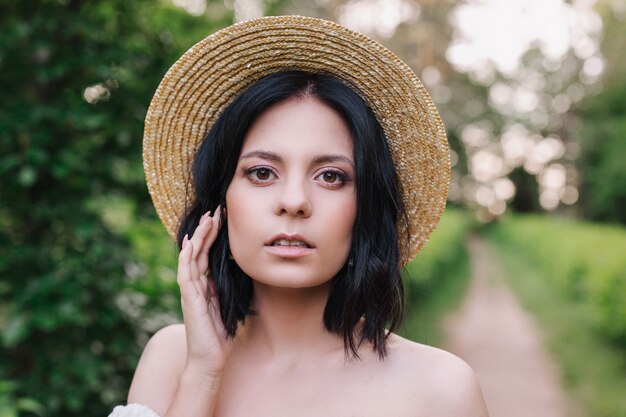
point(437, 279)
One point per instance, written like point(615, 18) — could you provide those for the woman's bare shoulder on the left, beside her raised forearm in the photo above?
point(159, 368)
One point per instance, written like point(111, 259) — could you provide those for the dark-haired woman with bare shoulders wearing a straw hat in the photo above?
point(325, 164)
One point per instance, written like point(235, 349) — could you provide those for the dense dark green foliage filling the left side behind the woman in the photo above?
point(77, 78)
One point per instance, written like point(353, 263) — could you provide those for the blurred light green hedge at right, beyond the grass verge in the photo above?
point(586, 261)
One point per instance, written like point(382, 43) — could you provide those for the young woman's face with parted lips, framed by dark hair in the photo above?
point(291, 204)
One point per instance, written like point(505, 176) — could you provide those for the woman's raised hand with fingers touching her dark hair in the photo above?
point(207, 347)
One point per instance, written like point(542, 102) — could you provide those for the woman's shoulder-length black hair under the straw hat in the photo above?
point(369, 287)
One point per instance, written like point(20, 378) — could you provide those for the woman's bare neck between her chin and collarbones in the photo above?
point(288, 325)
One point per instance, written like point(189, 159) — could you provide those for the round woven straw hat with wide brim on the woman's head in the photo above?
point(209, 75)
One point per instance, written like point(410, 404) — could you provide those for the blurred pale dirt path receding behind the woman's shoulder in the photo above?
point(499, 339)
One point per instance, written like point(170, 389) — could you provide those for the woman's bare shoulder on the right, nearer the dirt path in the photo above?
point(442, 383)
